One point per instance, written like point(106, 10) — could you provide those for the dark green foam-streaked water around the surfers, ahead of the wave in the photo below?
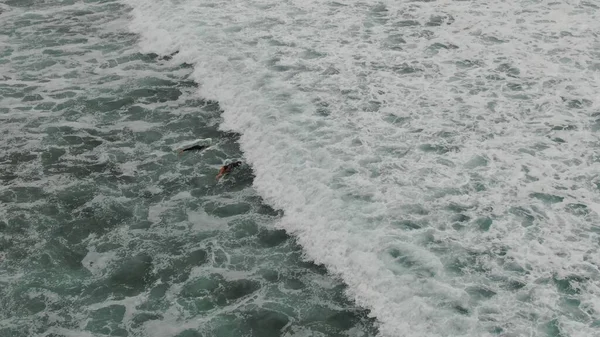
point(104, 230)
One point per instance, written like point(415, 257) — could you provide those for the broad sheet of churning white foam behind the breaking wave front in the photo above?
point(438, 156)
